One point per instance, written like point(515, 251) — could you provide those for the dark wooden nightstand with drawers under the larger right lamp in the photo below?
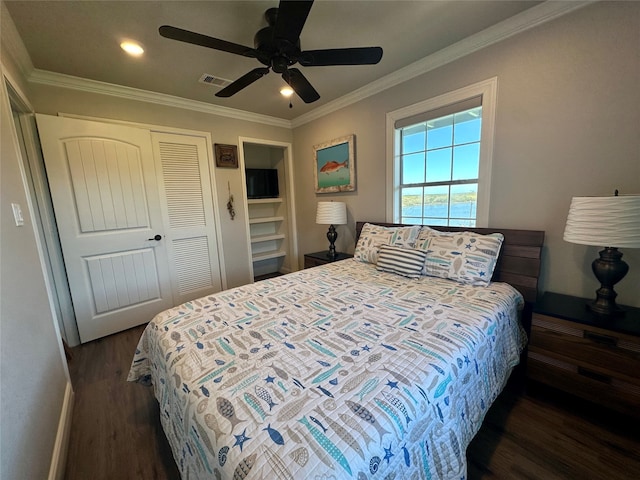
point(597, 359)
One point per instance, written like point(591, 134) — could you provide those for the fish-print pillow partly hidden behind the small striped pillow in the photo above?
point(373, 237)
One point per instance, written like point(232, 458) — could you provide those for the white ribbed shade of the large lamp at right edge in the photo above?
point(604, 221)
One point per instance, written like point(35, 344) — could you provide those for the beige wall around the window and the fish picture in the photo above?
point(566, 125)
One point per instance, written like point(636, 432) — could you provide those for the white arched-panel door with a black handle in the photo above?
point(105, 197)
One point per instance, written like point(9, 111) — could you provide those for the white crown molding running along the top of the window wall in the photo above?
point(526, 20)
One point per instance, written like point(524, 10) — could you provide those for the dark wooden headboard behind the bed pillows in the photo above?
point(519, 260)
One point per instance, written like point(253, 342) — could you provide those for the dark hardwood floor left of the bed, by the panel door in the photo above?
point(116, 431)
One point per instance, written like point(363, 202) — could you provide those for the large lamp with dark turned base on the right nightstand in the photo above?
point(612, 222)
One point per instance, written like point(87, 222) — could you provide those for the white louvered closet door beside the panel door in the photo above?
point(186, 199)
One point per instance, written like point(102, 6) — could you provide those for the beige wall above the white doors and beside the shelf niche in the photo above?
point(54, 100)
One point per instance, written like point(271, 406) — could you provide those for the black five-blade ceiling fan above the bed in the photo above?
point(277, 46)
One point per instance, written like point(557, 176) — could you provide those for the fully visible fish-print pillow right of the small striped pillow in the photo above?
point(466, 257)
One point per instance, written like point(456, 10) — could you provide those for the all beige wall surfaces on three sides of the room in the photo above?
point(567, 124)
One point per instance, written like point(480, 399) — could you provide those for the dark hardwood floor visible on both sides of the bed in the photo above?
point(532, 434)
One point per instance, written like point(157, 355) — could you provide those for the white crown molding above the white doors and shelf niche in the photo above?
point(92, 86)
